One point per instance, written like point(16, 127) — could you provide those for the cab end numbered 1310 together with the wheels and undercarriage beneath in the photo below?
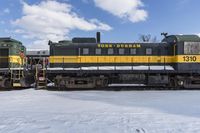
point(186, 56)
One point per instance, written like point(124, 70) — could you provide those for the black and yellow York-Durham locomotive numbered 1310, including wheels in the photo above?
point(90, 63)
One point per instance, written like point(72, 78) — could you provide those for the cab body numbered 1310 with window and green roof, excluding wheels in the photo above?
point(186, 49)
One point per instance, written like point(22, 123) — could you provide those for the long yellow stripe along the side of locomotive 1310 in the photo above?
point(124, 59)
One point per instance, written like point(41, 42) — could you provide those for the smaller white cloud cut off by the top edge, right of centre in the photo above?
point(125, 9)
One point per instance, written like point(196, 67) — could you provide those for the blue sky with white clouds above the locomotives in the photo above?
point(34, 22)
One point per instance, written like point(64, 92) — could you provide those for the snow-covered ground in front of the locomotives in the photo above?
point(40, 111)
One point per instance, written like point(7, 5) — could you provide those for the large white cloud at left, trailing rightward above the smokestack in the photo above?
point(52, 20)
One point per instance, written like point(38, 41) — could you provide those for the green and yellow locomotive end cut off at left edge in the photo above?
point(12, 63)
